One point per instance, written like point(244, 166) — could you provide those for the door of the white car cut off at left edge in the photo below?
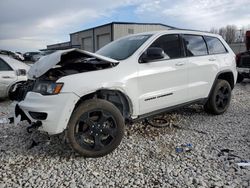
point(7, 77)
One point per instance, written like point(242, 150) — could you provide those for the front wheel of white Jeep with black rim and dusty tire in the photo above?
point(96, 128)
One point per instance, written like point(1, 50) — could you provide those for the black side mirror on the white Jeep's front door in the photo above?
point(152, 53)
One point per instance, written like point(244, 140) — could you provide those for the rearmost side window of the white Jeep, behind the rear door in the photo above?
point(214, 45)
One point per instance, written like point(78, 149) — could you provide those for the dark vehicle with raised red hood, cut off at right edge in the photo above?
point(243, 61)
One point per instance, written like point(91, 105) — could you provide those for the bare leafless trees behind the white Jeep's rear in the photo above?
point(231, 33)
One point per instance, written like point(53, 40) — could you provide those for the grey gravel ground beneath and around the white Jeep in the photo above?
point(146, 157)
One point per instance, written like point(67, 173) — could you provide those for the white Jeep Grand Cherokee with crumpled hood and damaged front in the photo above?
point(90, 96)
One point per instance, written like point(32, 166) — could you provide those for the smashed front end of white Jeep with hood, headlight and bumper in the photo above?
point(40, 100)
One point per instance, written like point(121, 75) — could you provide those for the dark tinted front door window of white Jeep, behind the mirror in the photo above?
point(170, 44)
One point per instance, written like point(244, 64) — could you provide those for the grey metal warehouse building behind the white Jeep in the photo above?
point(94, 38)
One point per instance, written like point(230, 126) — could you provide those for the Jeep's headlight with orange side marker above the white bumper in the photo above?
point(47, 87)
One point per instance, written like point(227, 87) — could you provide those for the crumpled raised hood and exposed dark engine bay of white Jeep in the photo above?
point(60, 64)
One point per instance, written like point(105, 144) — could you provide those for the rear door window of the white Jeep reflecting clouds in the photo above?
point(195, 45)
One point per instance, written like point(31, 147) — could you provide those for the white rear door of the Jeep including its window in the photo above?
point(202, 68)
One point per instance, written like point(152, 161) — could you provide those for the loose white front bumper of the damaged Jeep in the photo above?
point(53, 111)
